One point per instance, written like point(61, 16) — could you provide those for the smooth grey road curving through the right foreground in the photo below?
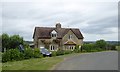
point(107, 60)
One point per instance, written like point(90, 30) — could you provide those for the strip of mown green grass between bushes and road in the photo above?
point(46, 63)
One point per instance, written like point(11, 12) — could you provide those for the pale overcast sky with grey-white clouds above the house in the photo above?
point(96, 19)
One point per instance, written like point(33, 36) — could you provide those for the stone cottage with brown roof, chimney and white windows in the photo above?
point(57, 37)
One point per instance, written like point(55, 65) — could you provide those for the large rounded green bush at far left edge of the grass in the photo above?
point(12, 54)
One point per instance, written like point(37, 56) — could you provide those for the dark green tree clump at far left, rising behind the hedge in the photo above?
point(11, 42)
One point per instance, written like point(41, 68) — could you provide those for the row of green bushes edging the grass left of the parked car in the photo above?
point(15, 54)
